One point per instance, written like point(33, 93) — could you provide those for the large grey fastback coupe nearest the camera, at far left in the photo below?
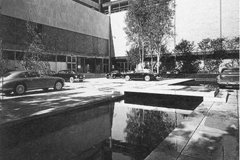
point(21, 81)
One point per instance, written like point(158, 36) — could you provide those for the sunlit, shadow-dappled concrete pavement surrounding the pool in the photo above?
point(210, 132)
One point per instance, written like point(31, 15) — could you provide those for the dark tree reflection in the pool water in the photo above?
point(146, 129)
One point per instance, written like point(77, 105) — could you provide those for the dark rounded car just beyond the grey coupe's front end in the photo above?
point(70, 76)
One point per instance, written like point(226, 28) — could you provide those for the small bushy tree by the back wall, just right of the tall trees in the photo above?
point(189, 64)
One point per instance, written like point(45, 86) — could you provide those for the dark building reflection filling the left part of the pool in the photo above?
point(74, 135)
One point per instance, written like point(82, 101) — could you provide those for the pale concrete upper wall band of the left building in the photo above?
point(65, 14)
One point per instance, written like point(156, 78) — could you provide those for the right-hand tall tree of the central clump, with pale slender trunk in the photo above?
point(159, 27)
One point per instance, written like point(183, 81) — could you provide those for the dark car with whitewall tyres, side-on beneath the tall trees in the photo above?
point(147, 76)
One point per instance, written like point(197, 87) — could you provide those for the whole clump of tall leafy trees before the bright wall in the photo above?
point(149, 24)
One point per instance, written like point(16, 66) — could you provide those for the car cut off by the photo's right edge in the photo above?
point(229, 78)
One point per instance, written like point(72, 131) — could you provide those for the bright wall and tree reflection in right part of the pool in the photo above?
point(137, 130)
